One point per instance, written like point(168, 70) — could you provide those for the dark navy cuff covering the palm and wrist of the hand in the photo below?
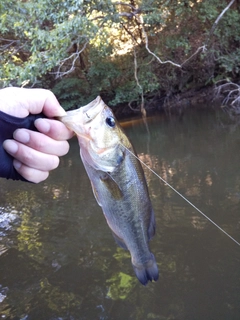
point(8, 124)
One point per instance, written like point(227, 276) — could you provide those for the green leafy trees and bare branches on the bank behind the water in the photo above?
point(85, 48)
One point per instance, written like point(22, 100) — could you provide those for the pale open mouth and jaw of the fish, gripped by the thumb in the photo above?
point(75, 120)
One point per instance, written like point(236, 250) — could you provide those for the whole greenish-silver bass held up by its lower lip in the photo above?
point(117, 181)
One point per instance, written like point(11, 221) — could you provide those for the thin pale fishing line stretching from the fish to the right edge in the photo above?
point(189, 202)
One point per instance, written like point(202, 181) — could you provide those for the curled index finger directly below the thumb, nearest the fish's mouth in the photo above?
point(54, 129)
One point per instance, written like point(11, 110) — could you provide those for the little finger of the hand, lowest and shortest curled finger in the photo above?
point(30, 174)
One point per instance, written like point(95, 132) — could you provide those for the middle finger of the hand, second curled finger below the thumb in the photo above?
point(41, 142)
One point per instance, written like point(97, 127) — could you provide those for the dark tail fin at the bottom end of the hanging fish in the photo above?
point(147, 272)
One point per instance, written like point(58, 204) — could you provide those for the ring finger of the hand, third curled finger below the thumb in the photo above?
point(30, 157)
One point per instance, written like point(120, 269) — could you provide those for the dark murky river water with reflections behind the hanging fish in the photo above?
point(58, 260)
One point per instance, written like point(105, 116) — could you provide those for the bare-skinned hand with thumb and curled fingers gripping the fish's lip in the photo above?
point(35, 153)
